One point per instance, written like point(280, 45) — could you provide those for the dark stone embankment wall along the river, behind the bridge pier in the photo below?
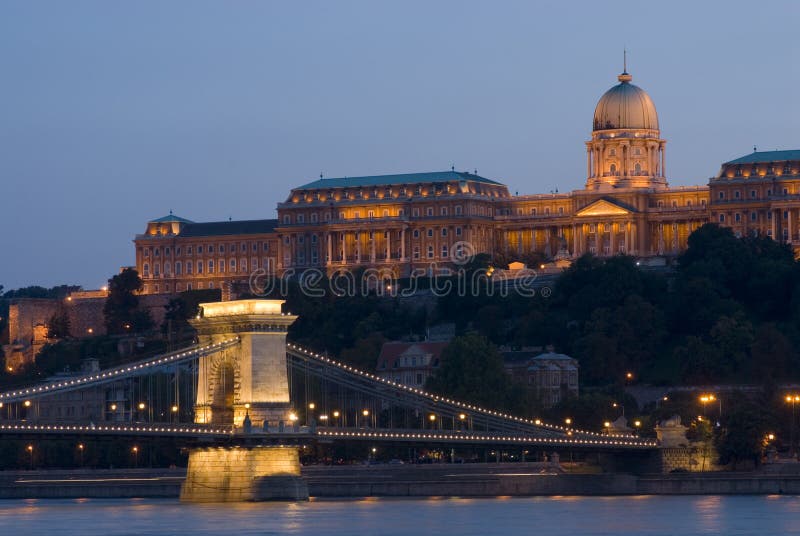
point(441, 480)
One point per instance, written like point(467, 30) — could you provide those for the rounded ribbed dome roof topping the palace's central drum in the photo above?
point(625, 106)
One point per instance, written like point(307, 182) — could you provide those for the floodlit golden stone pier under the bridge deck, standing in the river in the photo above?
point(239, 474)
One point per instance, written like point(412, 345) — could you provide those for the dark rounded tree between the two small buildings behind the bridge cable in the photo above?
point(472, 369)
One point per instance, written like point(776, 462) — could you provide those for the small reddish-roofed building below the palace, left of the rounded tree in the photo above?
point(410, 363)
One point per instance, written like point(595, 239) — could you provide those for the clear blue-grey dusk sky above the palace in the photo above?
point(115, 113)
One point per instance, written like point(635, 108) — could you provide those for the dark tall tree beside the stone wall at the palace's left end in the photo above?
point(122, 304)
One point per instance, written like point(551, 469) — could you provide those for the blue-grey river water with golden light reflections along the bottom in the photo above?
point(613, 516)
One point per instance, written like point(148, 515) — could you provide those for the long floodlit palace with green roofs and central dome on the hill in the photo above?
point(402, 223)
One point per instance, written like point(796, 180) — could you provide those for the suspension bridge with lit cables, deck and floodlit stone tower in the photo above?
point(246, 399)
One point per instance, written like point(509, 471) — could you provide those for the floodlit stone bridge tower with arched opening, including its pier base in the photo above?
point(249, 379)
